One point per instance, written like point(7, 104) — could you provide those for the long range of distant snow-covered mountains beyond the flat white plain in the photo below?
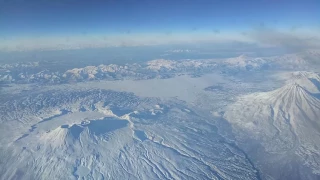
point(158, 68)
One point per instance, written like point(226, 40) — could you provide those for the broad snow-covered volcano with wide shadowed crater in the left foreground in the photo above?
point(99, 134)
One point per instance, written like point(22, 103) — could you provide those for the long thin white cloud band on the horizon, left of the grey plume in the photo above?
point(105, 40)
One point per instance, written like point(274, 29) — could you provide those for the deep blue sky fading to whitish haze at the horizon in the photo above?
point(45, 24)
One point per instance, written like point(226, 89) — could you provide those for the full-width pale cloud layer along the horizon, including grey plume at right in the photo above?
point(292, 40)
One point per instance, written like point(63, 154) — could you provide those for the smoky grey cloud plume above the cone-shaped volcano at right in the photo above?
point(295, 41)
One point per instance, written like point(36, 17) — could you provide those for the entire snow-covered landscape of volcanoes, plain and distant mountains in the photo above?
point(235, 118)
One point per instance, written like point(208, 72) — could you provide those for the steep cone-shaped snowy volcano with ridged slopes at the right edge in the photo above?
point(284, 121)
